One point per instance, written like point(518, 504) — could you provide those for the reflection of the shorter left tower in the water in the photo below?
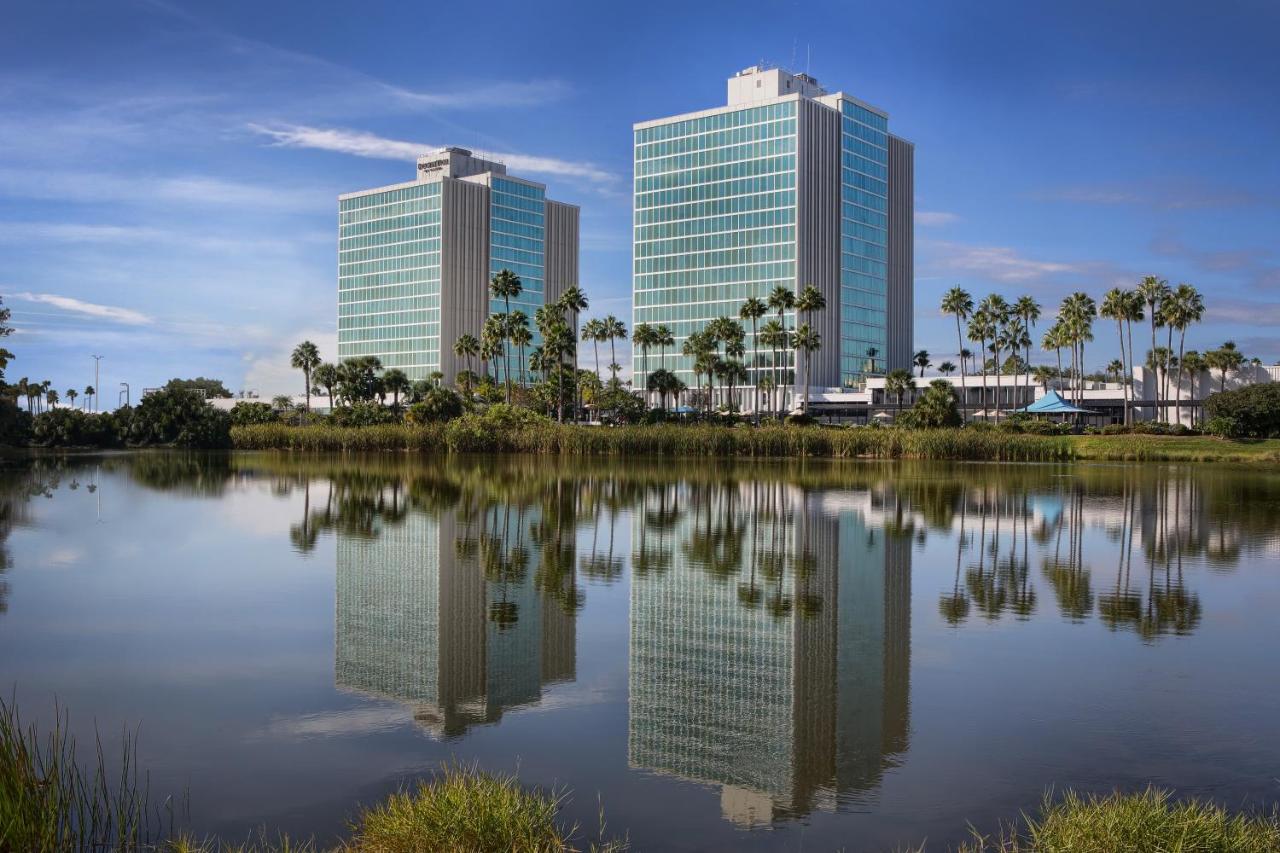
point(420, 622)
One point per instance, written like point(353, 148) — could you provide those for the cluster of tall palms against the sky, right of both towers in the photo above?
point(1002, 329)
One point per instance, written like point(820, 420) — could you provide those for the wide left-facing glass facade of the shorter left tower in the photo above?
point(390, 279)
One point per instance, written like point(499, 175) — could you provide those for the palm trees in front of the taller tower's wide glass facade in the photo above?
point(720, 352)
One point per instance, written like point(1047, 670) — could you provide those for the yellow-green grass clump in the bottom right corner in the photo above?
point(1151, 822)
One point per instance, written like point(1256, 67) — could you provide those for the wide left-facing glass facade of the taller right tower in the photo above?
point(715, 222)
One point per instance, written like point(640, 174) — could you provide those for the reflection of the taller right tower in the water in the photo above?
point(784, 678)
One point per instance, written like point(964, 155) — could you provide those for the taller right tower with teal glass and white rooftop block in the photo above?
point(789, 186)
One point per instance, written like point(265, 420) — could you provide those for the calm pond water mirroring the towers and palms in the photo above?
point(729, 656)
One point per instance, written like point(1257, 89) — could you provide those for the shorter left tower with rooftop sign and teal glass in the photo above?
point(415, 261)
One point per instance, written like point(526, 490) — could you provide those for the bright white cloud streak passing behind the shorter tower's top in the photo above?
point(368, 145)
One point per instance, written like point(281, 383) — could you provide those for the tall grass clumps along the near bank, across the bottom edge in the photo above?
point(49, 801)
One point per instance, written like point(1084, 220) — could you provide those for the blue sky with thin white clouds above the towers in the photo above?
point(170, 170)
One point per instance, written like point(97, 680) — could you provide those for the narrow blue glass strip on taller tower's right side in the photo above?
point(863, 243)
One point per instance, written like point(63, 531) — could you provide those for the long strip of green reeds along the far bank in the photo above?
point(482, 434)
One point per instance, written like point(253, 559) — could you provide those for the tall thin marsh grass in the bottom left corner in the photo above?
point(52, 802)
